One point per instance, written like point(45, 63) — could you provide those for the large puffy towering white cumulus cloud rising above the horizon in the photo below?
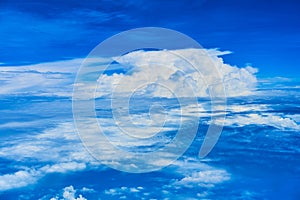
point(167, 73)
